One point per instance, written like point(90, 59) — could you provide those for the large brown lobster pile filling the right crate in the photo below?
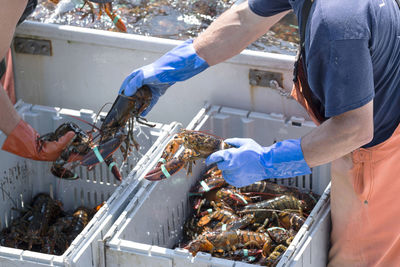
point(254, 224)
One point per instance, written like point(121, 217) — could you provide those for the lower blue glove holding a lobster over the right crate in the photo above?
point(249, 162)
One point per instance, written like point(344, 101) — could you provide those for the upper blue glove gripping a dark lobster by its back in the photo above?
point(179, 64)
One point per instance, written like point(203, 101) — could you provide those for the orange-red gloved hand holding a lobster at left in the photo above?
point(23, 141)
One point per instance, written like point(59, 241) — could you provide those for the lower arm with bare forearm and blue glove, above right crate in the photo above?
point(249, 162)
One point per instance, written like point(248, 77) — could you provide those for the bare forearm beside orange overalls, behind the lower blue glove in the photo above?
point(338, 136)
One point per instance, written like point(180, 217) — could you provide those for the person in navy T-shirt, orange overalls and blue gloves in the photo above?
point(347, 77)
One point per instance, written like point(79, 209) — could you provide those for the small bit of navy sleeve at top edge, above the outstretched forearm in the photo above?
point(266, 8)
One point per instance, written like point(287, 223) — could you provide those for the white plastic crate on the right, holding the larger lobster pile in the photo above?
point(151, 224)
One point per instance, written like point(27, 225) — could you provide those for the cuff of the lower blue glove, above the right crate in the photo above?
point(285, 159)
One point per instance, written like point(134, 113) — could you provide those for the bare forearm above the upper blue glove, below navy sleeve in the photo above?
point(232, 32)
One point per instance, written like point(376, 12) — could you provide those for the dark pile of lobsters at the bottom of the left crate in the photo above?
point(45, 227)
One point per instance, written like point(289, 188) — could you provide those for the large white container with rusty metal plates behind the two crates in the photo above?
point(87, 67)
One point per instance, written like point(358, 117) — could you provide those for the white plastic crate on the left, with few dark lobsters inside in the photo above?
point(22, 179)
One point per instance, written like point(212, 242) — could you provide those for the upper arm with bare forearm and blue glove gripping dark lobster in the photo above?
point(225, 37)
